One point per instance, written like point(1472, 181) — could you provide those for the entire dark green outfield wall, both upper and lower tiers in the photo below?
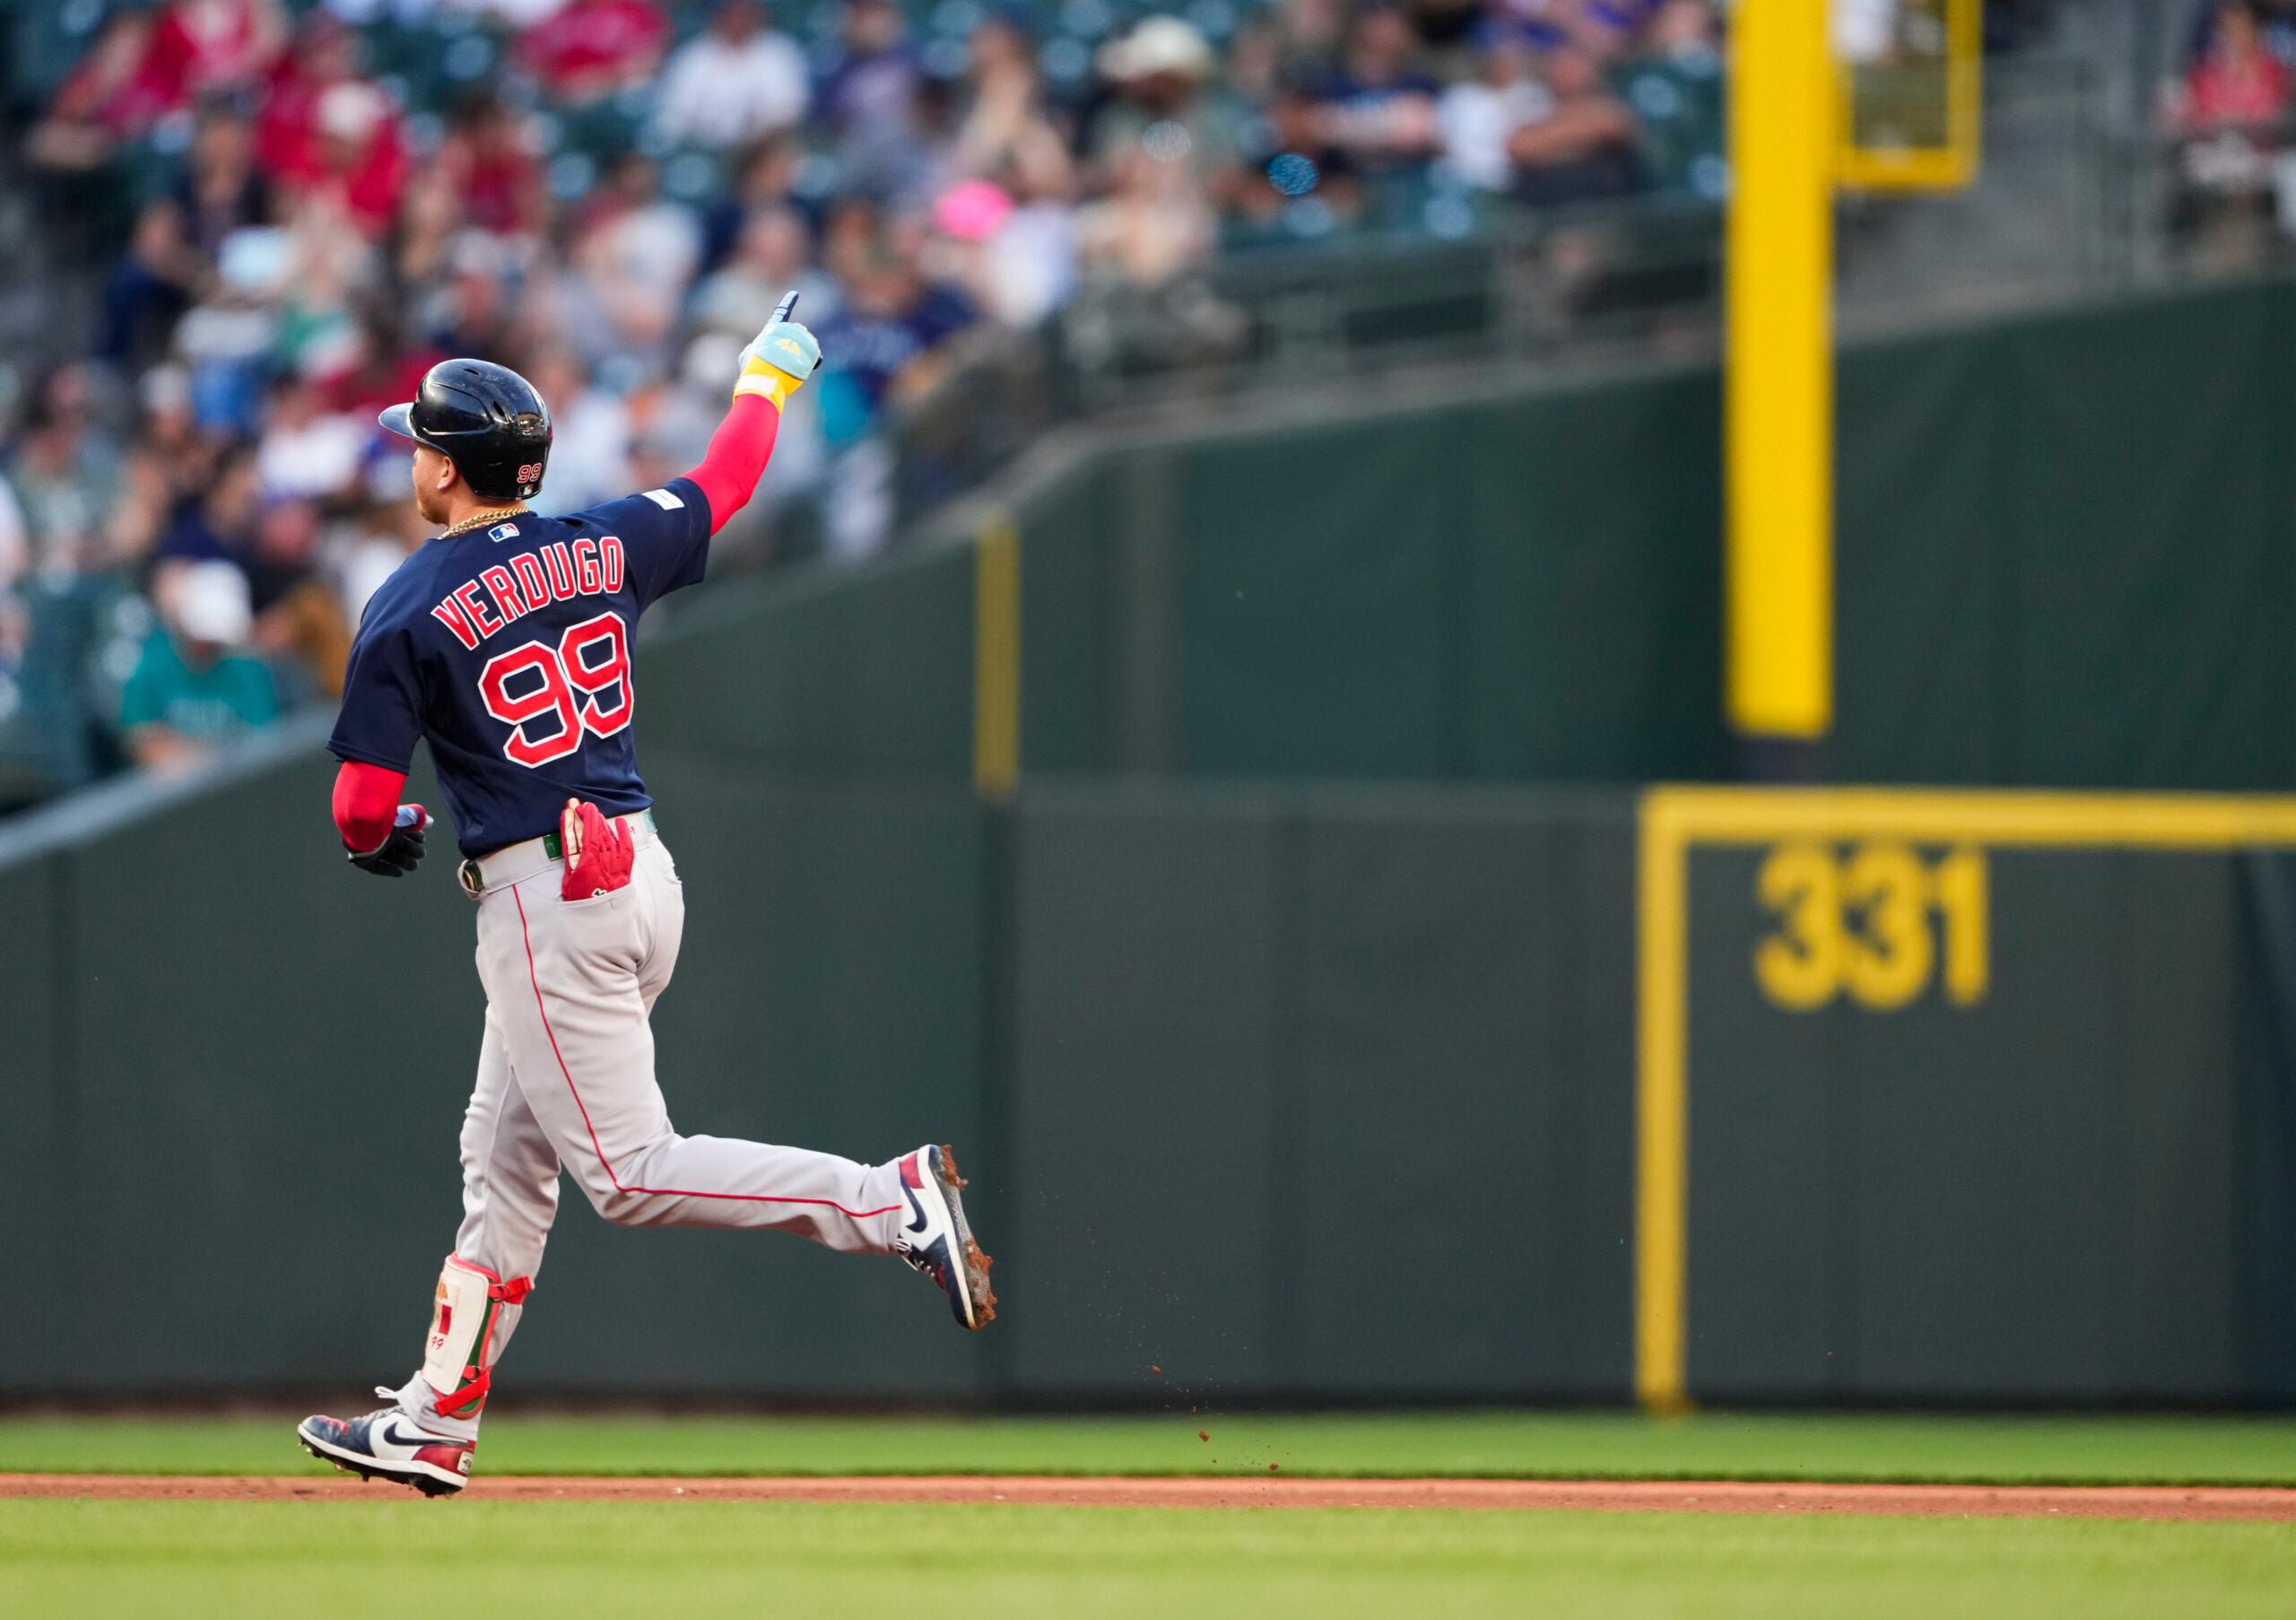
point(1438, 1086)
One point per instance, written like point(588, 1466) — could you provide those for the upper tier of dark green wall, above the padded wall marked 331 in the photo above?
point(2065, 543)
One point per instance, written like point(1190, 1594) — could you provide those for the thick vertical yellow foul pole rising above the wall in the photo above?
point(1778, 373)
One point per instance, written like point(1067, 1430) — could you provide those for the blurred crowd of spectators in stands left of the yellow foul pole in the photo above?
point(316, 203)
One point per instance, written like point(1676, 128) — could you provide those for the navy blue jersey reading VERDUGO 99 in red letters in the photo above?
point(509, 649)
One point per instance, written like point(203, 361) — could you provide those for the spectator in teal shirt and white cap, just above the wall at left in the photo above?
point(194, 688)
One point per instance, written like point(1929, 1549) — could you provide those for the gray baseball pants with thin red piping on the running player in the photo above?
point(566, 1081)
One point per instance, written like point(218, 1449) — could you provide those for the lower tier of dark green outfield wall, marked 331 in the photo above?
point(1269, 1093)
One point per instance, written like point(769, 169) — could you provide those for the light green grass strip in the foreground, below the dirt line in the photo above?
point(1016, 1564)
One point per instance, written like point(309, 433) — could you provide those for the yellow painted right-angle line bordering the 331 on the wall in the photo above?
point(1673, 819)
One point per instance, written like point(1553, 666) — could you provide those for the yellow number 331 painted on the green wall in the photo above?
point(1861, 923)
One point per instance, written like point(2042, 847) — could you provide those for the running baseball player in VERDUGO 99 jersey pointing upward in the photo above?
point(506, 645)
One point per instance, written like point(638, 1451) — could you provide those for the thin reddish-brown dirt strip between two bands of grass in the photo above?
point(1728, 1497)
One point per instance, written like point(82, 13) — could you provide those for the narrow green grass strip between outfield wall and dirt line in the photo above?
point(2166, 1451)
